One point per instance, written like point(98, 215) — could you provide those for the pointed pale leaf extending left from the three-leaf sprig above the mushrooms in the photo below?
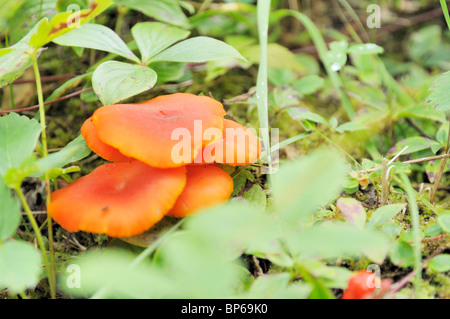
point(98, 37)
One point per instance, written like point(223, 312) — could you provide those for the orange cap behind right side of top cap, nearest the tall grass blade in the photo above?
point(238, 146)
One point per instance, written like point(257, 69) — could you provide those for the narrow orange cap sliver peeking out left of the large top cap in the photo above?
point(103, 150)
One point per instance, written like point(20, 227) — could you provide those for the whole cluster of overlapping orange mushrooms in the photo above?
point(163, 154)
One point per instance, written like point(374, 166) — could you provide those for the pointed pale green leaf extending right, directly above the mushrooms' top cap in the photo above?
point(198, 49)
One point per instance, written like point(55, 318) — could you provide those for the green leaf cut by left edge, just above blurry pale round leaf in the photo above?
point(9, 212)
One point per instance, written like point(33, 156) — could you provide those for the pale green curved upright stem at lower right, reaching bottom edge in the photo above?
point(415, 222)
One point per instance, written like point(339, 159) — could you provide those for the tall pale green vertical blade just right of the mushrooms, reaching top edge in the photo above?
point(263, 12)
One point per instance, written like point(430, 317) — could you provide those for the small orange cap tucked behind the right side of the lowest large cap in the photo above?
point(206, 185)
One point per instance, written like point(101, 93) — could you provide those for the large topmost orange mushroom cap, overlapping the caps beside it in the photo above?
point(151, 131)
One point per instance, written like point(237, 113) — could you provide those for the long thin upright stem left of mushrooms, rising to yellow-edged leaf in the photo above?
point(51, 273)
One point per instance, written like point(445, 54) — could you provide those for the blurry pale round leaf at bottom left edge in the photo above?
point(20, 266)
